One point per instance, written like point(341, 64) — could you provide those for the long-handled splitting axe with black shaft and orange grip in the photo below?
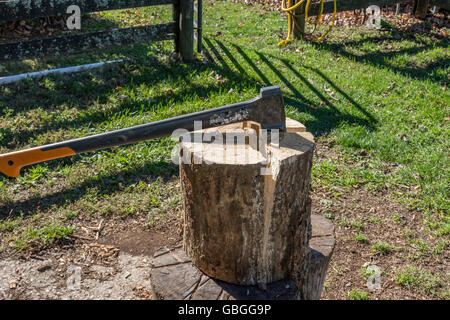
point(267, 109)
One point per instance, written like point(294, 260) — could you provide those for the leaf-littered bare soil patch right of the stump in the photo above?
point(363, 219)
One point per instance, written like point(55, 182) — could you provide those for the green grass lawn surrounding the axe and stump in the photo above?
point(376, 101)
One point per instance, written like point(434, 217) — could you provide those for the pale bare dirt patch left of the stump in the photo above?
point(114, 266)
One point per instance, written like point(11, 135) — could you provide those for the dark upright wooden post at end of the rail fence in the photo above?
point(186, 30)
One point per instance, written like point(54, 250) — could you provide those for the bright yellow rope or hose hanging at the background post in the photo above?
point(291, 17)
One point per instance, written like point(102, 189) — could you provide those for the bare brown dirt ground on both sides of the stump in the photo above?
point(115, 263)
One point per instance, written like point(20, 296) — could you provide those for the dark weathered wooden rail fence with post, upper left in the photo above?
point(181, 29)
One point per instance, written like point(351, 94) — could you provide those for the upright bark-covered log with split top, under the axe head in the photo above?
point(246, 204)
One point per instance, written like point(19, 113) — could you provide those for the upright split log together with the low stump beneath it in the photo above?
point(248, 230)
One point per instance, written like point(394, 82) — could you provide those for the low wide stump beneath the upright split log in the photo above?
point(174, 277)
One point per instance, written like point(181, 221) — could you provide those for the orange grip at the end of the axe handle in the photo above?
point(11, 163)
